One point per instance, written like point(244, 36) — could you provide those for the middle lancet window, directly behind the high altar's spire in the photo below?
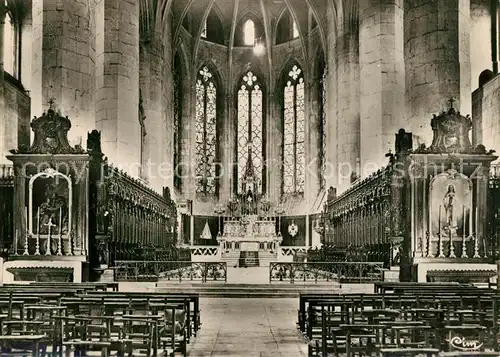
point(250, 153)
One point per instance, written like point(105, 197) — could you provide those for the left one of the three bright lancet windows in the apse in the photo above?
point(206, 132)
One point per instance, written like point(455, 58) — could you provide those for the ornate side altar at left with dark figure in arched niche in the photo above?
point(50, 205)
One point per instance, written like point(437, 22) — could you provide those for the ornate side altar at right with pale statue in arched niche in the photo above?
point(448, 208)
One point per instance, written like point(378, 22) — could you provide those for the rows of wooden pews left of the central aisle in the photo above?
point(55, 319)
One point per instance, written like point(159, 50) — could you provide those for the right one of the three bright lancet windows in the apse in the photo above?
point(293, 132)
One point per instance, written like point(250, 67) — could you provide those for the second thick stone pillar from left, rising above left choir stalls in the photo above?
point(117, 82)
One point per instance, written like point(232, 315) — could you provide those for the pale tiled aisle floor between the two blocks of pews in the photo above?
point(248, 328)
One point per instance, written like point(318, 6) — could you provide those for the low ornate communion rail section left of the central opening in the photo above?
point(129, 270)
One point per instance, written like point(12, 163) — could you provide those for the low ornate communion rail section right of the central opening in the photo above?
point(344, 272)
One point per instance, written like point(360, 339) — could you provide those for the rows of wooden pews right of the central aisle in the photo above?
point(403, 319)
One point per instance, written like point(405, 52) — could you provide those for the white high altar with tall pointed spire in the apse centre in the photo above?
point(249, 226)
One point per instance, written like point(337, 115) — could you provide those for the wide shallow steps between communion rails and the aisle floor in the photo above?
point(221, 290)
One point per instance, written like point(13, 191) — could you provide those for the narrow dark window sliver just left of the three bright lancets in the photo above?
point(177, 122)
